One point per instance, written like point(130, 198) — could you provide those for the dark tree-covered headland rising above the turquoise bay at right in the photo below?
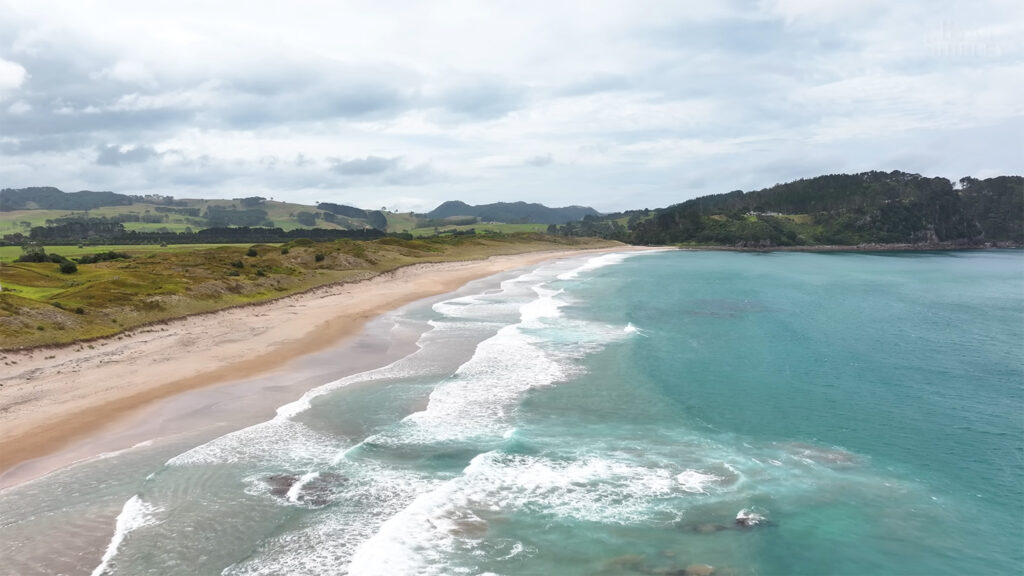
point(838, 210)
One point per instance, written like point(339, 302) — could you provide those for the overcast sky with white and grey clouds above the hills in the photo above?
point(613, 105)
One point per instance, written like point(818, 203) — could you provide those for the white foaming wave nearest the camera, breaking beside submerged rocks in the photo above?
point(425, 538)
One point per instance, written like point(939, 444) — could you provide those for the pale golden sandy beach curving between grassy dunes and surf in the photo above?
point(53, 398)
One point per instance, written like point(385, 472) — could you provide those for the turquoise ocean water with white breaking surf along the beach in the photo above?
point(671, 413)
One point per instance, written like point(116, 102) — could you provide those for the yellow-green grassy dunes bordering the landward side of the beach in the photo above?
point(39, 306)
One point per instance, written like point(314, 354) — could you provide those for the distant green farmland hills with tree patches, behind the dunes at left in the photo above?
point(22, 211)
